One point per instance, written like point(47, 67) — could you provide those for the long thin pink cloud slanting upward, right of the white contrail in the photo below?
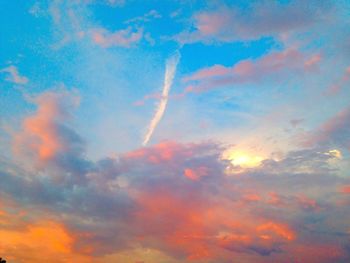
point(274, 64)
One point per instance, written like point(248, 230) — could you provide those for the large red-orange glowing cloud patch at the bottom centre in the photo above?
point(198, 229)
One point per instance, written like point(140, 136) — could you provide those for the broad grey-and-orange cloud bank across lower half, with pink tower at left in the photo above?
point(180, 199)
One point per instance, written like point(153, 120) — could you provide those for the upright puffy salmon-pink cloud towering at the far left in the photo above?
point(44, 135)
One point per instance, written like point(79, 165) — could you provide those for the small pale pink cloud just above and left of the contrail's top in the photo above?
point(122, 38)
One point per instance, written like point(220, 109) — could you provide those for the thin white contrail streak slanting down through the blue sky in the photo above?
point(170, 70)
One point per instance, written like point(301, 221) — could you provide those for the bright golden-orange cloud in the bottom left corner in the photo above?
point(24, 240)
